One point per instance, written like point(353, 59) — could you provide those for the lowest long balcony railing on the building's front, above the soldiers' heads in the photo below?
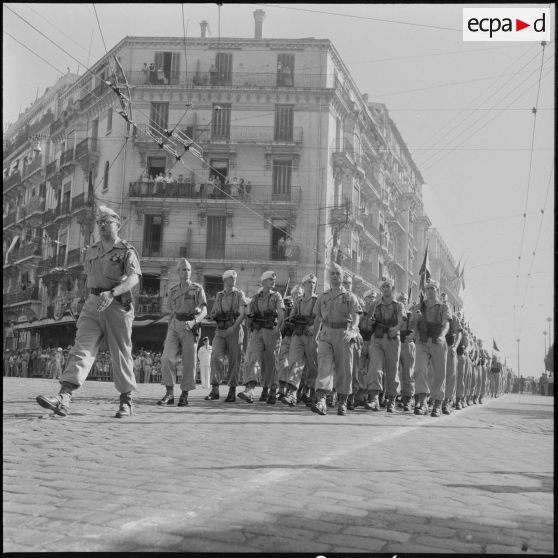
point(200, 251)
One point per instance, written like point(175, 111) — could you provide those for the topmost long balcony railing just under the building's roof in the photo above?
point(235, 79)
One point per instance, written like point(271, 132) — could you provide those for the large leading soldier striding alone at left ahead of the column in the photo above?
point(112, 268)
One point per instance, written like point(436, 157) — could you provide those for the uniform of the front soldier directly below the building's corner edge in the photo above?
point(335, 356)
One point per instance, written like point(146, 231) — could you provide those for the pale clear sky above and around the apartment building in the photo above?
point(464, 109)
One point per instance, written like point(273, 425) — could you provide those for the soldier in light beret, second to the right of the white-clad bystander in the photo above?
point(266, 313)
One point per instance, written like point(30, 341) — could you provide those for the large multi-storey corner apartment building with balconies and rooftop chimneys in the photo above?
point(296, 169)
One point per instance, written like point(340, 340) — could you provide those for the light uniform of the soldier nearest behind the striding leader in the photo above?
point(184, 303)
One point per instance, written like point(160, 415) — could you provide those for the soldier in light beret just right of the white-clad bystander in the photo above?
point(228, 312)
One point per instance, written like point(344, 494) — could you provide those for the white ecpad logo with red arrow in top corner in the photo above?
point(506, 24)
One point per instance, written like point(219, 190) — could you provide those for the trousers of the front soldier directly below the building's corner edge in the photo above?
point(335, 361)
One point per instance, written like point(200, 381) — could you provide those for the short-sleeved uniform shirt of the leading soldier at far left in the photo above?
point(105, 270)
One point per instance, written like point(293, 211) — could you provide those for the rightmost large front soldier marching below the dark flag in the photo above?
point(431, 322)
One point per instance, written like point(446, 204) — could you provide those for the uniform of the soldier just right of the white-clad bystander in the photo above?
point(226, 311)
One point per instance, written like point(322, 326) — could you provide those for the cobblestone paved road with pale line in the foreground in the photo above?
point(217, 477)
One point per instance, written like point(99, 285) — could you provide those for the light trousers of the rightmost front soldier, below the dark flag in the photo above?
point(435, 355)
